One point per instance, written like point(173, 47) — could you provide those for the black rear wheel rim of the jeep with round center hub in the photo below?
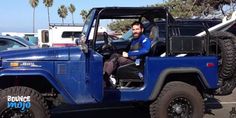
point(180, 107)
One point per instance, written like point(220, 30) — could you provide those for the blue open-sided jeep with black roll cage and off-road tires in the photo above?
point(37, 80)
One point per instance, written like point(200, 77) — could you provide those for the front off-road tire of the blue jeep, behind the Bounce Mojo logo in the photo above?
point(38, 109)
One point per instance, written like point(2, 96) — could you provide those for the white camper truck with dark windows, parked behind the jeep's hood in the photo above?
point(59, 35)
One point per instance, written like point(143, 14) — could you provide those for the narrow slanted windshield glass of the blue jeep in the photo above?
point(87, 23)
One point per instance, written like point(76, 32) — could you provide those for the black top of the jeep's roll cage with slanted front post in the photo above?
point(149, 13)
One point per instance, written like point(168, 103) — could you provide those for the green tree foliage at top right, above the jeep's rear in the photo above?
point(199, 8)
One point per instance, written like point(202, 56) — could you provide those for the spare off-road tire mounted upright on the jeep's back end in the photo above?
point(227, 53)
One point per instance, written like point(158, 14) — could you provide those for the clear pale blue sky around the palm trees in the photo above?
point(16, 15)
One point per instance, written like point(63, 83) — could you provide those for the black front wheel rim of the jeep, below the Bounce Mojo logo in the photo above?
point(16, 113)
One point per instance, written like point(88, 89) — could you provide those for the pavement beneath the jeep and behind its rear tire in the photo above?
point(220, 107)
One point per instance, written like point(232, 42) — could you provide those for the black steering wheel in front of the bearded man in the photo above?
point(107, 48)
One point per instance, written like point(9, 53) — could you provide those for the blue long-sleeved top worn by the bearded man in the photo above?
point(144, 43)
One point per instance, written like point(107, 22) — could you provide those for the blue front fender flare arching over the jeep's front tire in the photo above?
point(39, 72)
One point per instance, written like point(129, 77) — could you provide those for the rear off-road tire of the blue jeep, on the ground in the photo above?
point(174, 91)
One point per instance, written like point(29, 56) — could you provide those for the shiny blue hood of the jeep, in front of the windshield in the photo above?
point(36, 54)
